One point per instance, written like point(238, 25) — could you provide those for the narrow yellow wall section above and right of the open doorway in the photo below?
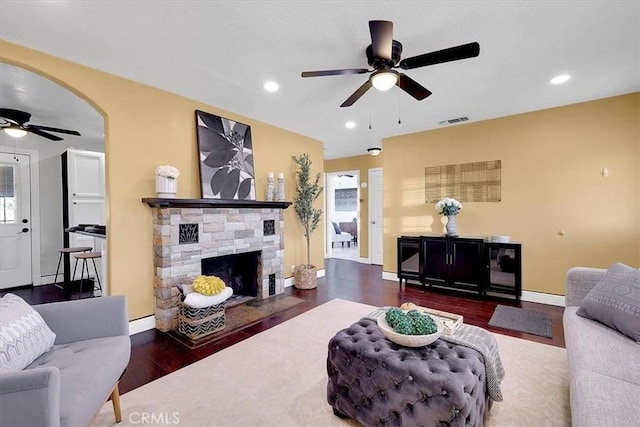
point(362, 164)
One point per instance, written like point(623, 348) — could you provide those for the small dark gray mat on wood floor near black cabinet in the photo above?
point(521, 320)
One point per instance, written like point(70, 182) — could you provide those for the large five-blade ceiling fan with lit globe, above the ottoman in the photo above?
point(383, 54)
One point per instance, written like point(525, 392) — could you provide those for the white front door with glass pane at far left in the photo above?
point(15, 220)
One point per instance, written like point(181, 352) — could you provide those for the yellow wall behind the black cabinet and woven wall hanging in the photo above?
point(551, 181)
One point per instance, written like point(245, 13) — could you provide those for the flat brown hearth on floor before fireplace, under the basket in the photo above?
point(243, 315)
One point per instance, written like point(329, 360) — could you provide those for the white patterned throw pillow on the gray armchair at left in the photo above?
point(24, 335)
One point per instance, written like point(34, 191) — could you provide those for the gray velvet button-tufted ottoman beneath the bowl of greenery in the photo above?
point(377, 382)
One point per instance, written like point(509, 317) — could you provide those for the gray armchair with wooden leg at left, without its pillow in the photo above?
point(69, 384)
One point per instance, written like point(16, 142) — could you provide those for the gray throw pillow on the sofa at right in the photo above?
point(615, 301)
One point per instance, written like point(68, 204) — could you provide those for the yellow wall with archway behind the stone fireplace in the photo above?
point(146, 127)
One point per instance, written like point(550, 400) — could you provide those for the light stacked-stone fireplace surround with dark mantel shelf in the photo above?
point(215, 228)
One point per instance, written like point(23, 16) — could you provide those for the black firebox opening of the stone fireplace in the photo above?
point(241, 272)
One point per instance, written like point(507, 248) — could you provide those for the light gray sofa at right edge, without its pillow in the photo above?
point(604, 365)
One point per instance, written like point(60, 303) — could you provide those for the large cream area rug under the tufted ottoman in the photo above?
point(278, 378)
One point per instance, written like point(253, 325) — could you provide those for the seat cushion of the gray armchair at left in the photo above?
point(86, 376)
